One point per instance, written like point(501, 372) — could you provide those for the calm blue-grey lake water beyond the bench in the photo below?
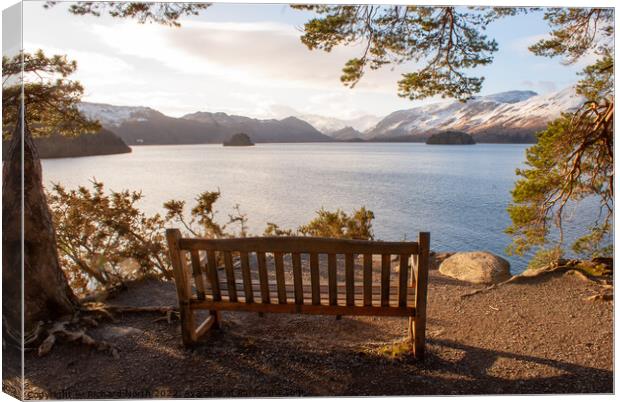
point(458, 193)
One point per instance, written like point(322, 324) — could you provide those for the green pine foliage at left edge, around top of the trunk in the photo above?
point(50, 99)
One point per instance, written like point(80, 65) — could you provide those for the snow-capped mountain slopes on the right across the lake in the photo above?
point(512, 116)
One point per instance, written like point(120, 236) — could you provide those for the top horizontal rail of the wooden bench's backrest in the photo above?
point(296, 244)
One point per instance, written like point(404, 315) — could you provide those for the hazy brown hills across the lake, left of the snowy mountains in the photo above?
point(145, 126)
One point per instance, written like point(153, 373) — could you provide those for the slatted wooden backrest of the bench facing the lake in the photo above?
point(193, 257)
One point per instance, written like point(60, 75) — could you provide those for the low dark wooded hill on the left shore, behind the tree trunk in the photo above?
point(102, 143)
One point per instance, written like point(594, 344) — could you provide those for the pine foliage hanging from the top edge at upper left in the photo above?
point(165, 13)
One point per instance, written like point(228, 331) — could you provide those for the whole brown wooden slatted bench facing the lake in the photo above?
point(336, 286)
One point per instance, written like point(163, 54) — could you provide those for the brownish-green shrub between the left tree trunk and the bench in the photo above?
point(104, 239)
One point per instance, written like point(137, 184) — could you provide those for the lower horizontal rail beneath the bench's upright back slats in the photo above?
point(304, 308)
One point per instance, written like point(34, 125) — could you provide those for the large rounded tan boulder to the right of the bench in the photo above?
point(476, 267)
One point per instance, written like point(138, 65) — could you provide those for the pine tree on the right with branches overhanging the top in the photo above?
point(573, 158)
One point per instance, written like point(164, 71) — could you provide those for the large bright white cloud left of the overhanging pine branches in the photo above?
point(253, 53)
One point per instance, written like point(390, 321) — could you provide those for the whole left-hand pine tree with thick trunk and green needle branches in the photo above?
point(48, 106)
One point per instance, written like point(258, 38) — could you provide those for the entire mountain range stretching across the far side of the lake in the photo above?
point(513, 116)
